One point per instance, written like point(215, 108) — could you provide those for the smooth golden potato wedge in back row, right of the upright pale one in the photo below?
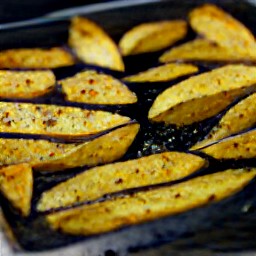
point(152, 36)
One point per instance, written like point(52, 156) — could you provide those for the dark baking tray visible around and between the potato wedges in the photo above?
point(224, 227)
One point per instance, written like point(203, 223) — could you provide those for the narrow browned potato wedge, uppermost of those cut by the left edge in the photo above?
point(35, 58)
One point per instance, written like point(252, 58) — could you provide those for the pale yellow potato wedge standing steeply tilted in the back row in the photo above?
point(92, 44)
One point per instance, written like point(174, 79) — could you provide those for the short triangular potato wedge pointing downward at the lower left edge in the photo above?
point(16, 184)
